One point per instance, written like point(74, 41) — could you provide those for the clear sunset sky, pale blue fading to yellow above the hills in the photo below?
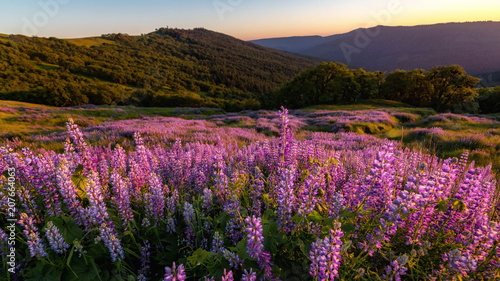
point(243, 19)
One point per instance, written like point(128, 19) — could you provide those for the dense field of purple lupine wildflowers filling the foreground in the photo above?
point(308, 195)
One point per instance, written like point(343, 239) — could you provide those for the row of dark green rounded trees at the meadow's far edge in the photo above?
point(444, 88)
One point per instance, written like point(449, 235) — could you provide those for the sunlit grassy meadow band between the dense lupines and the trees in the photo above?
point(444, 134)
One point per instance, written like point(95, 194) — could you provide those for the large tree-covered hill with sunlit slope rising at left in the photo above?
point(168, 67)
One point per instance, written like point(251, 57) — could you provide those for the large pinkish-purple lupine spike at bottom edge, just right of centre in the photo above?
point(325, 255)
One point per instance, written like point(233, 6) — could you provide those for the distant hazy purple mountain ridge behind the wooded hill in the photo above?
point(475, 46)
